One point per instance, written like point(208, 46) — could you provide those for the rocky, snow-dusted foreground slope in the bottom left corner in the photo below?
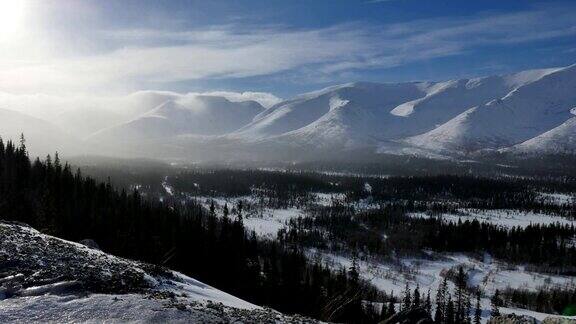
point(45, 279)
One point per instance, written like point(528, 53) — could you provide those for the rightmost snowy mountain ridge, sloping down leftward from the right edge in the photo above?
point(526, 112)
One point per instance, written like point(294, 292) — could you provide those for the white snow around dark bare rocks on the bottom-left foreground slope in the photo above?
point(59, 301)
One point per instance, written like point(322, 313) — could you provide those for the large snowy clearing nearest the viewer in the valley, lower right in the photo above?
point(428, 275)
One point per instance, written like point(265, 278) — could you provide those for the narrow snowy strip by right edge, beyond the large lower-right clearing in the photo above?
point(503, 217)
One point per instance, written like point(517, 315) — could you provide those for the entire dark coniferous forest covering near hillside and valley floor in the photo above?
point(128, 215)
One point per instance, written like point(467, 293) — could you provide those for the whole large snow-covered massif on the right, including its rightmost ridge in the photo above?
point(365, 115)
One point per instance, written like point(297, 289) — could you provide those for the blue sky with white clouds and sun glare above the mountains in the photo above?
point(109, 47)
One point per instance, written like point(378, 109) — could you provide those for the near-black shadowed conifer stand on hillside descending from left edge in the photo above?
point(49, 196)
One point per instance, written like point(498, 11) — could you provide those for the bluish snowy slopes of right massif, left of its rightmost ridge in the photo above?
point(363, 115)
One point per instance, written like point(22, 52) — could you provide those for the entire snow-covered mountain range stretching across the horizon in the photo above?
point(530, 112)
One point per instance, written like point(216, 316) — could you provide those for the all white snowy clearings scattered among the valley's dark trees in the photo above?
point(426, 273)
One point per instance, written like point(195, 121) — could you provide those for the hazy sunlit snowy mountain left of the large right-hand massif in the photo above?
point(201, 115)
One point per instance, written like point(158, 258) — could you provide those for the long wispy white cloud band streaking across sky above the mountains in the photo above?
point(144, 57)
